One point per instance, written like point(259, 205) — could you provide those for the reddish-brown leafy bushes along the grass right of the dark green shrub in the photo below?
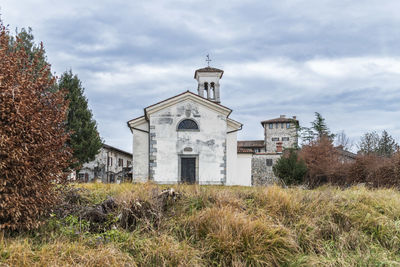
point(324, 165)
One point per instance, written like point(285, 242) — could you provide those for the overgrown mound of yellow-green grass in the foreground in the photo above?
point(211, 225)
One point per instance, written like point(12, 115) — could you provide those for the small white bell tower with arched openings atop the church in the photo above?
point(208, 83)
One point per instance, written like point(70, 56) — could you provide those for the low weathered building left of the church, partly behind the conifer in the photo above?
point(109, 166)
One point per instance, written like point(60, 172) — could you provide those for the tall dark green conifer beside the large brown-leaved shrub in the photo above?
point(85, 140)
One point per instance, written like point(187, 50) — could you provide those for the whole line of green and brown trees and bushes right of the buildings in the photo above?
point(323, 158)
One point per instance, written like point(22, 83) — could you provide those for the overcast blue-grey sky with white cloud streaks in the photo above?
point(340, 58)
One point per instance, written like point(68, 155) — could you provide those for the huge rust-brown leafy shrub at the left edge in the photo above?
point(33, 154)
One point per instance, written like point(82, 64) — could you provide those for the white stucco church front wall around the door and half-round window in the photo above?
point(208, 144)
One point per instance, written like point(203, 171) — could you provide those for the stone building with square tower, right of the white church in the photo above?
point(279, 133)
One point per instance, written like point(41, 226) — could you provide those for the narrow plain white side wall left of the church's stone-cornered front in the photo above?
point(140, 148)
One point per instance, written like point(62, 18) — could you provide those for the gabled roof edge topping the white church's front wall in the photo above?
point(184, 96)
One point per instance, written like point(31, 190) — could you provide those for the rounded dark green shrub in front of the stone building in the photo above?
point(290, 169)
